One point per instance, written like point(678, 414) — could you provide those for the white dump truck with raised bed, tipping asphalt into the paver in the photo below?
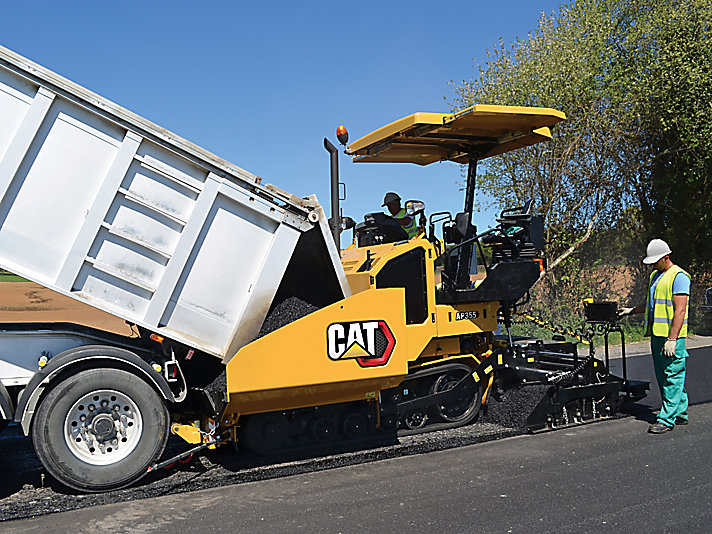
point(107, 208)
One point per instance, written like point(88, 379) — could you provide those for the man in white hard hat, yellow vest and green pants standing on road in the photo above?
point(666, 311)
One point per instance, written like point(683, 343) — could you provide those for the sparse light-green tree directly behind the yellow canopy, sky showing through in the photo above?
point(578, 178)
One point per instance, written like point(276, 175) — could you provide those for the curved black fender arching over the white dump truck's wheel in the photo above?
point(94, 355)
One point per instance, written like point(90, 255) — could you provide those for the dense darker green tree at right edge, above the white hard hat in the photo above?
point(663, 74)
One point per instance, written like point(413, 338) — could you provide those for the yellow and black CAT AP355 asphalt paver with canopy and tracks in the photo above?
point(413, 348)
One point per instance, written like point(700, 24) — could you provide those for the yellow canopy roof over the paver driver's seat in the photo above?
point(425, 138)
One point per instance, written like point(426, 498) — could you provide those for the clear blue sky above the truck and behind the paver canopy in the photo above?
point(260, 84)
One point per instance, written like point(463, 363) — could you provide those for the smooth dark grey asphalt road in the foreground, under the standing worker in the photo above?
point(605, 477)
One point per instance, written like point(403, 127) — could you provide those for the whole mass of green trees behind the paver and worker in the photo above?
point(633, 160)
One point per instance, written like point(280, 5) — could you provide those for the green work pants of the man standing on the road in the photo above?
point(670, 373)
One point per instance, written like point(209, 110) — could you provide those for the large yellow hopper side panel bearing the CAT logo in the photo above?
point(305, 363)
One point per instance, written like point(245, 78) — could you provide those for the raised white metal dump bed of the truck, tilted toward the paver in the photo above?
point(104, 206)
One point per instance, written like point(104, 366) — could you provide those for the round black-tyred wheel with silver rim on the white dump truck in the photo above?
point(100, 429)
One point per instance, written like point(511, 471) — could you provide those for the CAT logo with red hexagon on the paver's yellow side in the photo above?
point(370, 343)
